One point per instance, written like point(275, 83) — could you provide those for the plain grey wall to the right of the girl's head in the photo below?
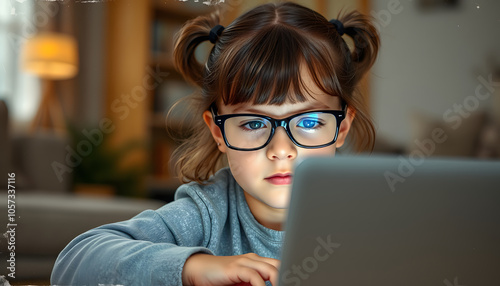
point(430, 61)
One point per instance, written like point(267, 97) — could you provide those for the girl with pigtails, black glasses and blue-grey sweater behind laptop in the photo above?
point(279, 85)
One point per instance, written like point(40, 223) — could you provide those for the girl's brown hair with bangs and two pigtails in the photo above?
point(257, 59)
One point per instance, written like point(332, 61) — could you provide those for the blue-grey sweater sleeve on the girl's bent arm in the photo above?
point(149, 249)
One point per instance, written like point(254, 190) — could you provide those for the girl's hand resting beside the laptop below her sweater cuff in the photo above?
point(247, 269)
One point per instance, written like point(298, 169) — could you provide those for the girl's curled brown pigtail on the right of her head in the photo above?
point(366, 41)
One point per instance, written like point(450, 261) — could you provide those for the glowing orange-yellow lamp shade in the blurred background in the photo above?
point(51, 56)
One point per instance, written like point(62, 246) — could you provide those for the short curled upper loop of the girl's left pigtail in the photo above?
point(193, 33)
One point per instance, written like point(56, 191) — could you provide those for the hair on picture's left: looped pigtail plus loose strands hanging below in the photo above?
point(197, 157)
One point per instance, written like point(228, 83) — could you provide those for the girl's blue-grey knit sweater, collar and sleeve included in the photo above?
point(151, 248)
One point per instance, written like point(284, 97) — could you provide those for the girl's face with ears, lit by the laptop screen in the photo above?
point(266, 174)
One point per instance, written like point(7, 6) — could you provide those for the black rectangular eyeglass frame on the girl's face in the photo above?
point(219, 120)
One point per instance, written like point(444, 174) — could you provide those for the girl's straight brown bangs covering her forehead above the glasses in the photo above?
point(267, 68)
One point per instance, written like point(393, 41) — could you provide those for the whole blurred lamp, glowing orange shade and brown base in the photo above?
point(51, 56)
